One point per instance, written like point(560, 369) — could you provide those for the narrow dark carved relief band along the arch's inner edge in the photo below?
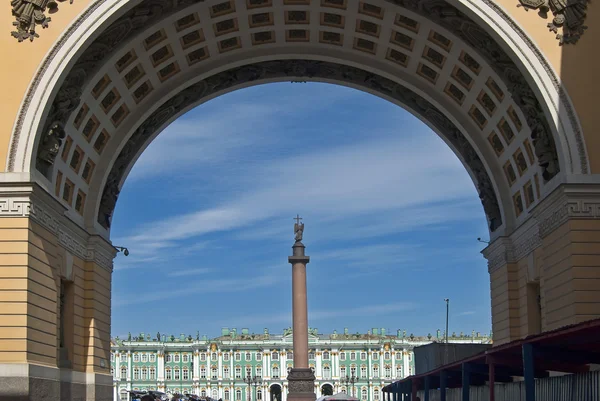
point(296, 69)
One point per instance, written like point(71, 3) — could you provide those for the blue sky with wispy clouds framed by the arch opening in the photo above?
point(391, 219)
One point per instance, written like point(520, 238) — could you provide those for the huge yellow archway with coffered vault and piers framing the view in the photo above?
point(510, 86)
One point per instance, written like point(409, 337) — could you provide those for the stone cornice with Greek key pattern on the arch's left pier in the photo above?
point(29, 200)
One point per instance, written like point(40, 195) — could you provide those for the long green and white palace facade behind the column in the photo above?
point(220, 367)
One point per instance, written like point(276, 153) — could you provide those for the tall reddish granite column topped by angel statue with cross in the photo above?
point(301, 378)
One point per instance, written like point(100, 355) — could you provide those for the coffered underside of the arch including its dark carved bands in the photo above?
point(161, 58)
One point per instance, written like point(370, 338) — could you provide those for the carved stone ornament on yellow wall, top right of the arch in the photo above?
point(568, 15)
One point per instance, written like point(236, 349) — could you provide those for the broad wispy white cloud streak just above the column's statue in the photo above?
point(365, 178)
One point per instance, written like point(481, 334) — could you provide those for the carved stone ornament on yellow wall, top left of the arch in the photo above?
point(31, 13)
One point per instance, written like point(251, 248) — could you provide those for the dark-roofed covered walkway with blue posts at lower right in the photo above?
point(572, 349)
